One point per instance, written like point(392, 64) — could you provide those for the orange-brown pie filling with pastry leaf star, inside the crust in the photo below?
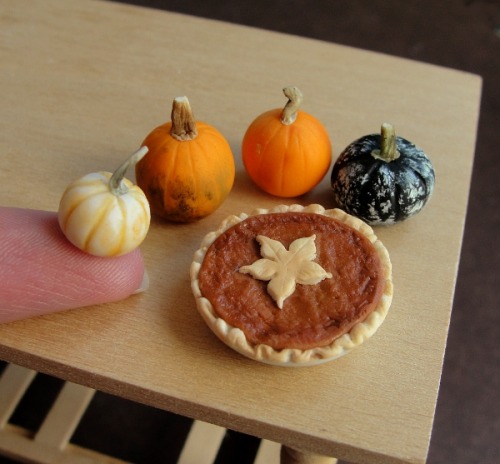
point(292, 280)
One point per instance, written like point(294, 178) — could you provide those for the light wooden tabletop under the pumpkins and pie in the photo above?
point(83, 82)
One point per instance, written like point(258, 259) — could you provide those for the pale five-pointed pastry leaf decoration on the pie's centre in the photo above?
point(285, 268)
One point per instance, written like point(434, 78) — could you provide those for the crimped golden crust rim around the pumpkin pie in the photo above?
point(236, 338)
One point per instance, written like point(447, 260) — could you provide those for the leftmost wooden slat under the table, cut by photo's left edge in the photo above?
point(14, 382)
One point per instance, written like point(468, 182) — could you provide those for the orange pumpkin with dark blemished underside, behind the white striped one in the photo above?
point(189, 169)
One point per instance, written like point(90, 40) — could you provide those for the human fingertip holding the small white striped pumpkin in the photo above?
point(41, 272)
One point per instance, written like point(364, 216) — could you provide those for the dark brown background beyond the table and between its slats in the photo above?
point(459, 34)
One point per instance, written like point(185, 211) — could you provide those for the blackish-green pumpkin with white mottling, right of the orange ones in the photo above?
point(382, 178)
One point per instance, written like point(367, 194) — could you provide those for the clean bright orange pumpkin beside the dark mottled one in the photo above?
point(287, 152)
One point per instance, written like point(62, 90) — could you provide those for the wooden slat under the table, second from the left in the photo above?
point(63, 418)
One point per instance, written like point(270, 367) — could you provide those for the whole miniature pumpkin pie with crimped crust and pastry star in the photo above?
point(292, 285)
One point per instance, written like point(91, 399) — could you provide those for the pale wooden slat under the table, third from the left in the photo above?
point(202, 444)
